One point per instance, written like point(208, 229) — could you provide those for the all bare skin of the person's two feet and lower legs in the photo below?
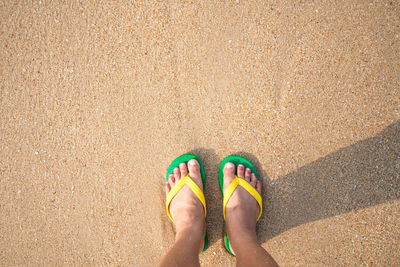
point(241, 218)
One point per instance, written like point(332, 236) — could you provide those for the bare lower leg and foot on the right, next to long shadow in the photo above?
point(241, 218)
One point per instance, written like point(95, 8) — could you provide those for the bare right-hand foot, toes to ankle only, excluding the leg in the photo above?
point(242, 209)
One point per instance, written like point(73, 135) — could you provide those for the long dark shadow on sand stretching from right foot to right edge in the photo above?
point(355, 177)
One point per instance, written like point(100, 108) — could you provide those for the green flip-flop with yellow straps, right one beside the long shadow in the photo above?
point(234, 184)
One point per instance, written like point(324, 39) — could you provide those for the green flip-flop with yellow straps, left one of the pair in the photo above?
point(189, 182)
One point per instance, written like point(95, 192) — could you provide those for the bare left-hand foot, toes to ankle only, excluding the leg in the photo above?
point(185, 208)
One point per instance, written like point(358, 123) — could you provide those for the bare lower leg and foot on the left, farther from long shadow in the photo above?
point(188, 215)
